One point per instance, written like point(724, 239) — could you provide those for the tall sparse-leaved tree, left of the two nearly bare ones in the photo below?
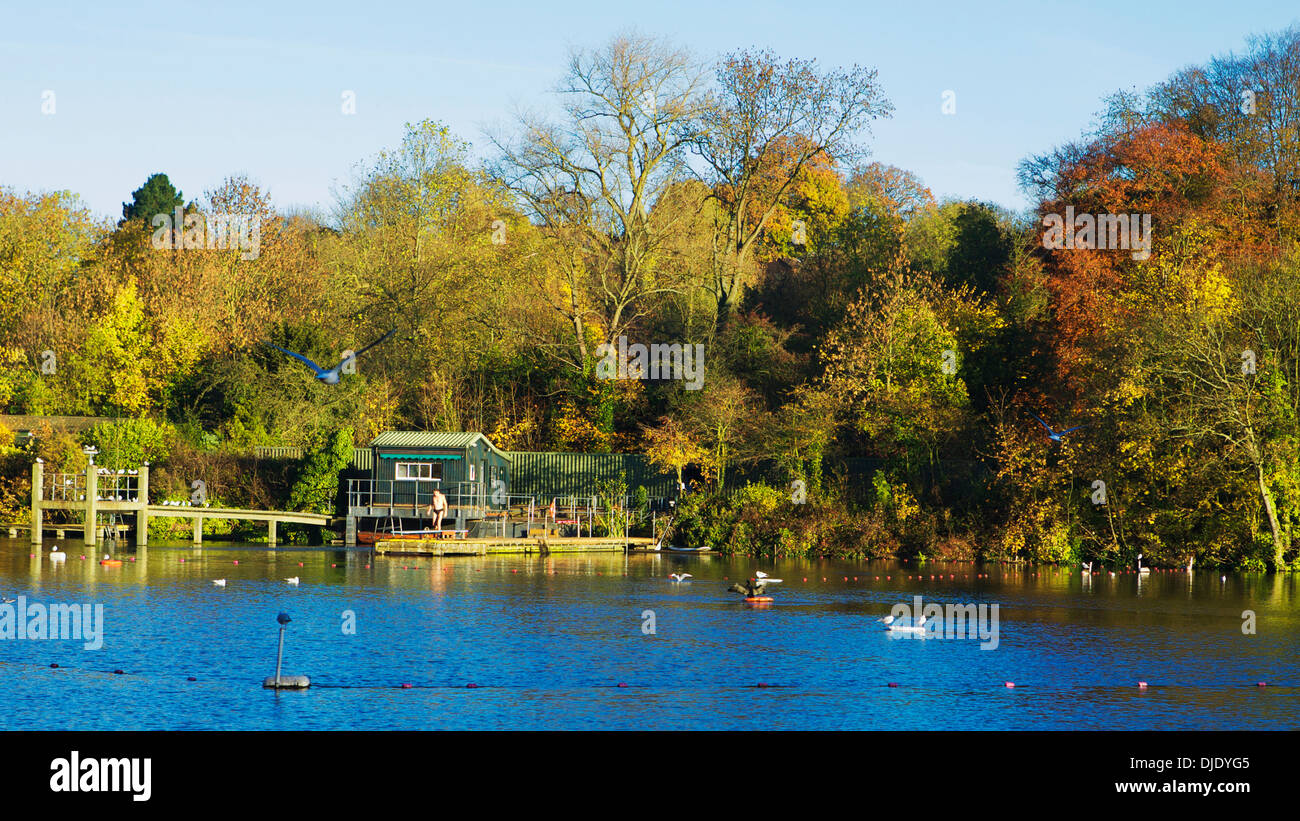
point(592, 180)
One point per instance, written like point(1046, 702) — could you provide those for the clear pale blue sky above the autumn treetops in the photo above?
point(205, 90)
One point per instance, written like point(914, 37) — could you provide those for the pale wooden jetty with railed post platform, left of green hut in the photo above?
point(127, 493)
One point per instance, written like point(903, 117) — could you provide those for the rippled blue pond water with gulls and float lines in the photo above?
point(549, 641)
